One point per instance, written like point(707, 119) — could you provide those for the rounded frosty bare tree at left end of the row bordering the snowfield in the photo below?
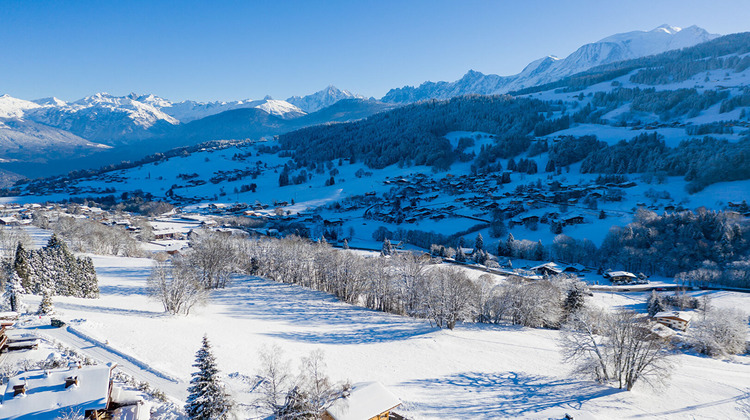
point(176, 285)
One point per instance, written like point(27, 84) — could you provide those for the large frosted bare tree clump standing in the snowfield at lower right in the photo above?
point(618, 347)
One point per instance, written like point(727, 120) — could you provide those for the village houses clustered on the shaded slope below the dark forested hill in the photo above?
point(412, 197)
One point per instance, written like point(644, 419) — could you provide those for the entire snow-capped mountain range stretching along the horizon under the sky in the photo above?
point(64, 134)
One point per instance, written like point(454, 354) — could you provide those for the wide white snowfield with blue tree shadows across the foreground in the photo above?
point(473, 372)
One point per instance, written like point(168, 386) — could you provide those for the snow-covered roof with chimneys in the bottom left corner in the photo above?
point(47, 397)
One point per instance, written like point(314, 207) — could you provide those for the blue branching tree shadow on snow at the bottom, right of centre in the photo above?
point(503, 395)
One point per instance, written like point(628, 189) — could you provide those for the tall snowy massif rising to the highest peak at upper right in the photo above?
point(611, 49)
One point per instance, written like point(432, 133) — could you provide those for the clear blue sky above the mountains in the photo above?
point(225, 50)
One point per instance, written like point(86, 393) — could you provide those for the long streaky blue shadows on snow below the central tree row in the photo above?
point(321, 317)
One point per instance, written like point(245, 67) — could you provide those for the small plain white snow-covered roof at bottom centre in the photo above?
point(365, 401)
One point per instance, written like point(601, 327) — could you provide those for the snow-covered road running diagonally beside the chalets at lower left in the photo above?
point(172, 387)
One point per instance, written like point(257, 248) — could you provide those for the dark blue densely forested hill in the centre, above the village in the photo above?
point(414, 134)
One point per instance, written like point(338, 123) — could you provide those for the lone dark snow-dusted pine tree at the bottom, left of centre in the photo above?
point(207, 400)
